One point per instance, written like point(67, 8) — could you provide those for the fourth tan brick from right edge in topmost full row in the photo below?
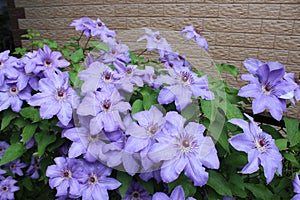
point(204, 10)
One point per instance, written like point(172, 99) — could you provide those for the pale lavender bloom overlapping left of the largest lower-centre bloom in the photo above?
point(144, 133)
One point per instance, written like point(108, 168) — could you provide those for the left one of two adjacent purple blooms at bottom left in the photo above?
point(64, 175)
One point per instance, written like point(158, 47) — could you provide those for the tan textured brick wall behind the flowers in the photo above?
point(235, 29)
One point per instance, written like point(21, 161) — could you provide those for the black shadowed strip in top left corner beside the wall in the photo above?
point(6, 41)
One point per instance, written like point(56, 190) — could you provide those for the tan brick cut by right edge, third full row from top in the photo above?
point(287, 42)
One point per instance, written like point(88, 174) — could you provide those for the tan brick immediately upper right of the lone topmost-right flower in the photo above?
point(217, 24)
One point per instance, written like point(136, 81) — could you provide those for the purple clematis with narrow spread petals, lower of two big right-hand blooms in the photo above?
point(259, 146)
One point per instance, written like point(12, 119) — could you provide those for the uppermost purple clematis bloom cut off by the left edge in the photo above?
point(7, 67)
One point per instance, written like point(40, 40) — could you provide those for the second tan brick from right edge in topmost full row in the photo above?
point(265, 11)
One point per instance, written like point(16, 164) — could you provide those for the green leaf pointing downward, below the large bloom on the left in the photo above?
point(43, 139)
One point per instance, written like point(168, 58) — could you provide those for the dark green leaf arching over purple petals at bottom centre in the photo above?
point(188, 187)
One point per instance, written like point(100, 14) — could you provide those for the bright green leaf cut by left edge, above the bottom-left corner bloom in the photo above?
point(13, 152)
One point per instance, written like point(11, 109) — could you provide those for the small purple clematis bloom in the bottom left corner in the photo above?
point(8, 188)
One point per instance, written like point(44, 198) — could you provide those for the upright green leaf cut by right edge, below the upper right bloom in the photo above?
point(292, 128)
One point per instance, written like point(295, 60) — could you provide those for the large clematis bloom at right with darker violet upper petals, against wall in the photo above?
point(268, 88)
